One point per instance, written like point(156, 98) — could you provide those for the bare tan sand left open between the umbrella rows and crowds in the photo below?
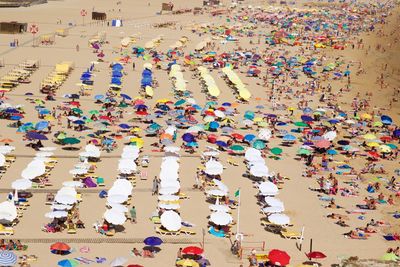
point(301, 204)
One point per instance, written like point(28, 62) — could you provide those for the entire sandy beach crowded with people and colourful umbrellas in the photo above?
point(349, 93)
